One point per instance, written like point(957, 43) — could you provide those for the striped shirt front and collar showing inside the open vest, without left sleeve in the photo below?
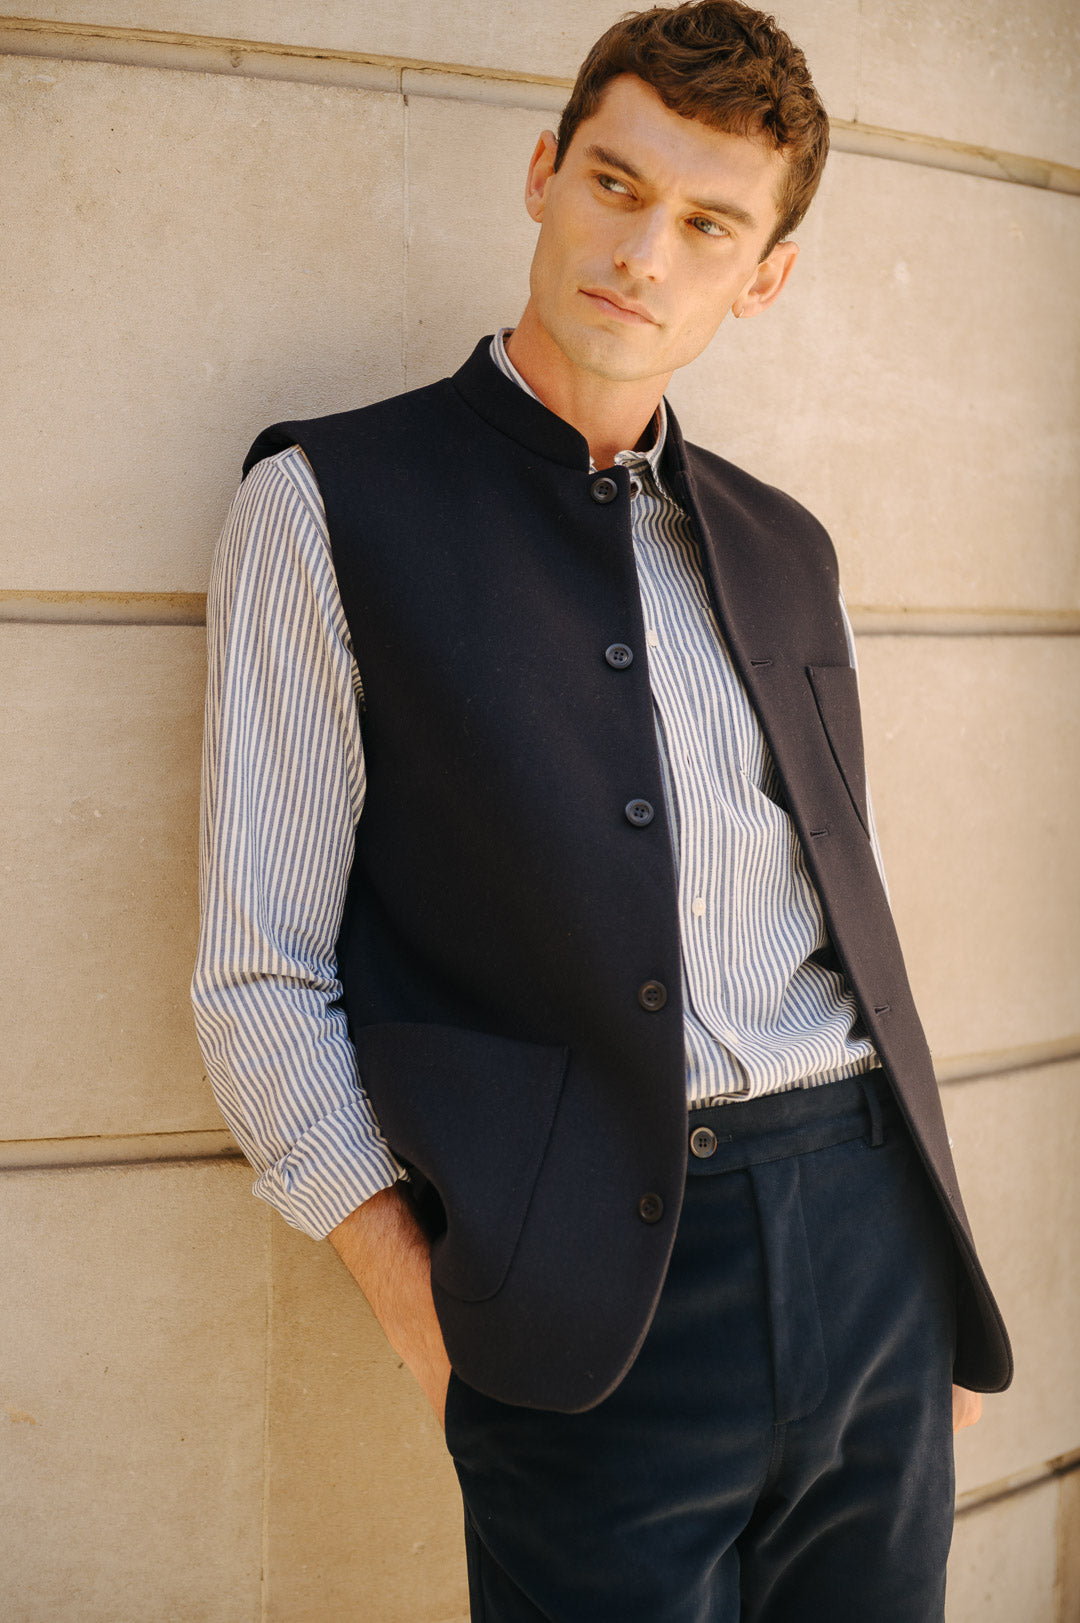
point(762, 1014)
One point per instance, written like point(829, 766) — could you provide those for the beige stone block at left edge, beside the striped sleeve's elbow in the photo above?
point(100, 807)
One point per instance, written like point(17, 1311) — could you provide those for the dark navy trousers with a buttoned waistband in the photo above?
point(782, 1447)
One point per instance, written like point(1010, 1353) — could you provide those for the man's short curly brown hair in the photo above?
point(728, 66)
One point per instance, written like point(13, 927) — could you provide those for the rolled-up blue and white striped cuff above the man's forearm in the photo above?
point(339, 1165)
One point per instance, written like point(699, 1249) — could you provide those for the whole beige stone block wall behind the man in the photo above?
point(220, 213)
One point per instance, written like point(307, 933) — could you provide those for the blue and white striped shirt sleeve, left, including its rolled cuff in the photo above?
point(283, 791)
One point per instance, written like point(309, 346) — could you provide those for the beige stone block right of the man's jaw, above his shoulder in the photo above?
point(917, 387)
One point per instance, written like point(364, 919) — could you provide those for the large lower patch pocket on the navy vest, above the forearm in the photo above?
point(472, 1114)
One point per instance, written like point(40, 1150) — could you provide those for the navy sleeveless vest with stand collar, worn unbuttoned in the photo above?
point(511, 945)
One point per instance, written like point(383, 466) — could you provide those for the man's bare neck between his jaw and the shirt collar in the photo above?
point(613, 416)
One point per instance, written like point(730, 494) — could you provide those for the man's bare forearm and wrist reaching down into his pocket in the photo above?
point(389, 1255)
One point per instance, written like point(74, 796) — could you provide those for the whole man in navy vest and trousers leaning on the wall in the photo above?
point(608, 942)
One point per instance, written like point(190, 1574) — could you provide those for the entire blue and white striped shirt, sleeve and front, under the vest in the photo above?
point(283, 790)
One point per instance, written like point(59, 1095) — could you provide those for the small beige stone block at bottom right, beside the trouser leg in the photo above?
point(1003, 1562)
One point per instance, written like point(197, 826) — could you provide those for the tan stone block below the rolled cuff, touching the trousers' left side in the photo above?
point(365, 1517)
